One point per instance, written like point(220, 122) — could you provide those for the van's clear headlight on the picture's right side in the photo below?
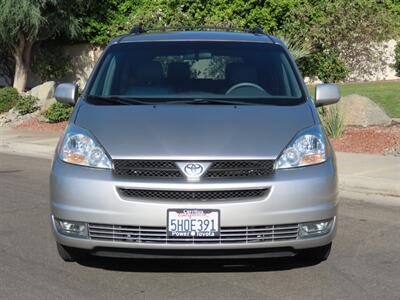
point(309, 147)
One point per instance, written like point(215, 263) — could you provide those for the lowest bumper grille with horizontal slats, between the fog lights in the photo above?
point(158, 235)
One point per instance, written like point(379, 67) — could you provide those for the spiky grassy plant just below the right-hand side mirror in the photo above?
point(333, 121)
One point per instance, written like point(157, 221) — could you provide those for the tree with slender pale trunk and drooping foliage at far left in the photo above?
point(24, 23)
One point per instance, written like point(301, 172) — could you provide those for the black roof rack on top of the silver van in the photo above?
point(139, 29)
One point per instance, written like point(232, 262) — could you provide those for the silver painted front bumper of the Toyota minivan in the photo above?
point(295, 196)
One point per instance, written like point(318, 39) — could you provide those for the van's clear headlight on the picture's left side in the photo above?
point(80, 147)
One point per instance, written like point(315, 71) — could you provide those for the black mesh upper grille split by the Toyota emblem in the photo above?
point(218, 169)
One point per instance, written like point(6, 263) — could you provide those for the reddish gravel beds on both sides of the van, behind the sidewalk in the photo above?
point(373, 140)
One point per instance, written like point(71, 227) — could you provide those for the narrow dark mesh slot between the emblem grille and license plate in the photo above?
point(192, 195)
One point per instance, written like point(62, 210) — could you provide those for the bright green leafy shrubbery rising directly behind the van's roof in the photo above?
point(110, 18)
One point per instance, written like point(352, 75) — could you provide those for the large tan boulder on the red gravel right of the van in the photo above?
point(362, 111)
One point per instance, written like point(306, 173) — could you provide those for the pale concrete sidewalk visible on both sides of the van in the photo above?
point(375, 178)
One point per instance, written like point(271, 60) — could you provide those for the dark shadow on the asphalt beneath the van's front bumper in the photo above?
point(196, 266)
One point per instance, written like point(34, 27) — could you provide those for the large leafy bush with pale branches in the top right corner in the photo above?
point(343, 31)
